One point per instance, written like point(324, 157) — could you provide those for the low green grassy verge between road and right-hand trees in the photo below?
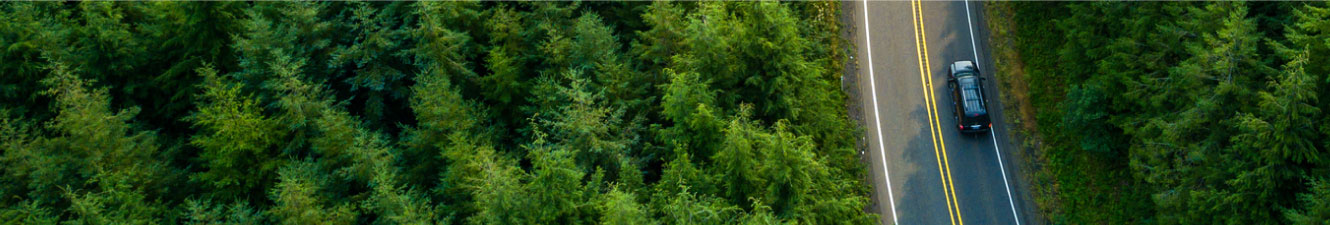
point(1070, 186)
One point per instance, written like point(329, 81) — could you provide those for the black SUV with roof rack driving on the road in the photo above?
point(968, 98)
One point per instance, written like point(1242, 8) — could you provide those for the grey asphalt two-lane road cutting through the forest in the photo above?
point(924, 170)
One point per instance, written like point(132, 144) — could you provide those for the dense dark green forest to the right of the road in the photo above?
point(1180, 112)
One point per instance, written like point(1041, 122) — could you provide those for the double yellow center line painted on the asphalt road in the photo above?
point(940, 146)
